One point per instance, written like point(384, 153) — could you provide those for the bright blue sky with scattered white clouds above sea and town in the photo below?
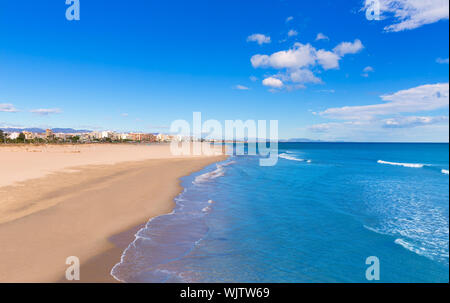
point(139, 65)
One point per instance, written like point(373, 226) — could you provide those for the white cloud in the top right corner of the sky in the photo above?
point(411, 14)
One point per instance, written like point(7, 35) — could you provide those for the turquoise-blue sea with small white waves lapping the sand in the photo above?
point(314, 217)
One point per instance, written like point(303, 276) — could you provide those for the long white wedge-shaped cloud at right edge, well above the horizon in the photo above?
point(422, 98)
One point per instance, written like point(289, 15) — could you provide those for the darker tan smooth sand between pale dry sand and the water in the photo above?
point(92, 213)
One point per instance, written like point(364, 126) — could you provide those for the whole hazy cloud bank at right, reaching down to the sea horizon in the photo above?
point(389, 121)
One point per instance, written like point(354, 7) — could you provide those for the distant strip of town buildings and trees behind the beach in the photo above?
point(50, 136)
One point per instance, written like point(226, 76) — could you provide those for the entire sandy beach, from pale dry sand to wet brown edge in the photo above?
point(81, 200)
